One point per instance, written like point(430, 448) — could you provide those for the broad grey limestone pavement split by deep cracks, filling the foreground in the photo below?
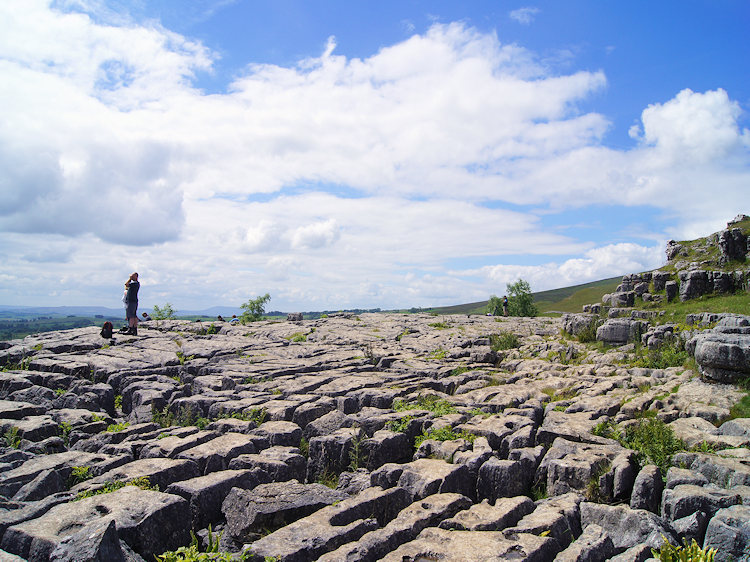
point(374, 437)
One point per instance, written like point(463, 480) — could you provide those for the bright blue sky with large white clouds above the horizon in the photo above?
point(361, 154)
